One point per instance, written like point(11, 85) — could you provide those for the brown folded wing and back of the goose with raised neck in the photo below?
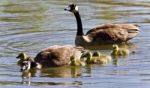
point(113, 32)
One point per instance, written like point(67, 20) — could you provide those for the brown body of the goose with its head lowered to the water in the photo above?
point(56, 55)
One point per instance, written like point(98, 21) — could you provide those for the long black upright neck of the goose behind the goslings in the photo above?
point(79, 24)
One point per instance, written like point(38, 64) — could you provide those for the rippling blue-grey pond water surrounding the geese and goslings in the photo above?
point(31, 25)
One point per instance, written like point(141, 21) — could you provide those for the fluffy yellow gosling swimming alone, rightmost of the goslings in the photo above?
point(119, 51)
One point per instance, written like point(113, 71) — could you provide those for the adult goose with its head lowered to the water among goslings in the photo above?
point(52, 56)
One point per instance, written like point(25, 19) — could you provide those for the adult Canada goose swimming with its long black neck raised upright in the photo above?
point(102, 34)
